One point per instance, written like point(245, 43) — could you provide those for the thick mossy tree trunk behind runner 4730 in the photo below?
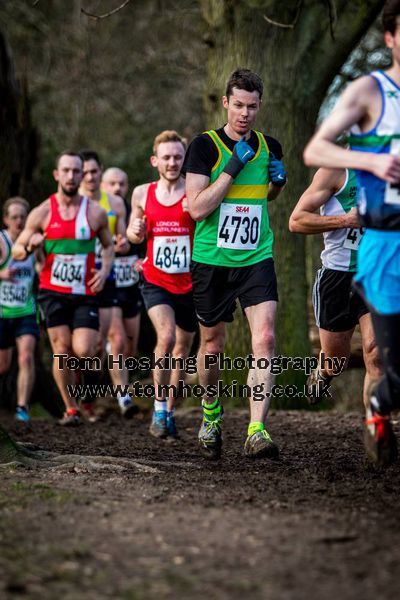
point(297, 65)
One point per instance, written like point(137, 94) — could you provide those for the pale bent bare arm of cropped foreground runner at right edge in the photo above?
point(352, 108)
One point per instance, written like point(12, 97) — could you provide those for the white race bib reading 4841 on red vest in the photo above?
point(171, 254)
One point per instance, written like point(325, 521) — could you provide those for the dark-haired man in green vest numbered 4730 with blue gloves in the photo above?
point(230, 175)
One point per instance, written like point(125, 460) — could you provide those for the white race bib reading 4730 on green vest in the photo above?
point(239, 226)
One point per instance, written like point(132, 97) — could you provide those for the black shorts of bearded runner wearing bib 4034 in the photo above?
point(72, 310)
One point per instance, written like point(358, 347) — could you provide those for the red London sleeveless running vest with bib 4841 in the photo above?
point(170, 232)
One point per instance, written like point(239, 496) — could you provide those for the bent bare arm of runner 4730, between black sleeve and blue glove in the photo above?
point(204, 198)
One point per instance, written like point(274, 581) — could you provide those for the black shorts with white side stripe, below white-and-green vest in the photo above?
point(337, 305)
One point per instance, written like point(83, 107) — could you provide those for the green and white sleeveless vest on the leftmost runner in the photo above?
point(16, 297)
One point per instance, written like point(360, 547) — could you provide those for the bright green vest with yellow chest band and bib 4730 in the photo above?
point(237, 233)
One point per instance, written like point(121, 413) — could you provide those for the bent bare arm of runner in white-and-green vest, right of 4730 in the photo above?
point(325, 184)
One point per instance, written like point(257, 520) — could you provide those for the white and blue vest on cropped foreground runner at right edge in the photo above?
point(379, 201)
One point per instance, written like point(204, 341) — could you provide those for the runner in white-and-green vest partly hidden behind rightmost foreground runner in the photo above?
point(338, 308)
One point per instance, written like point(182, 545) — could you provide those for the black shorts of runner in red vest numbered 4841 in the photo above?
point(181, 304)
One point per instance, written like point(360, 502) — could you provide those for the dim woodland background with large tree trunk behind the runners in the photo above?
point(113, 83)
